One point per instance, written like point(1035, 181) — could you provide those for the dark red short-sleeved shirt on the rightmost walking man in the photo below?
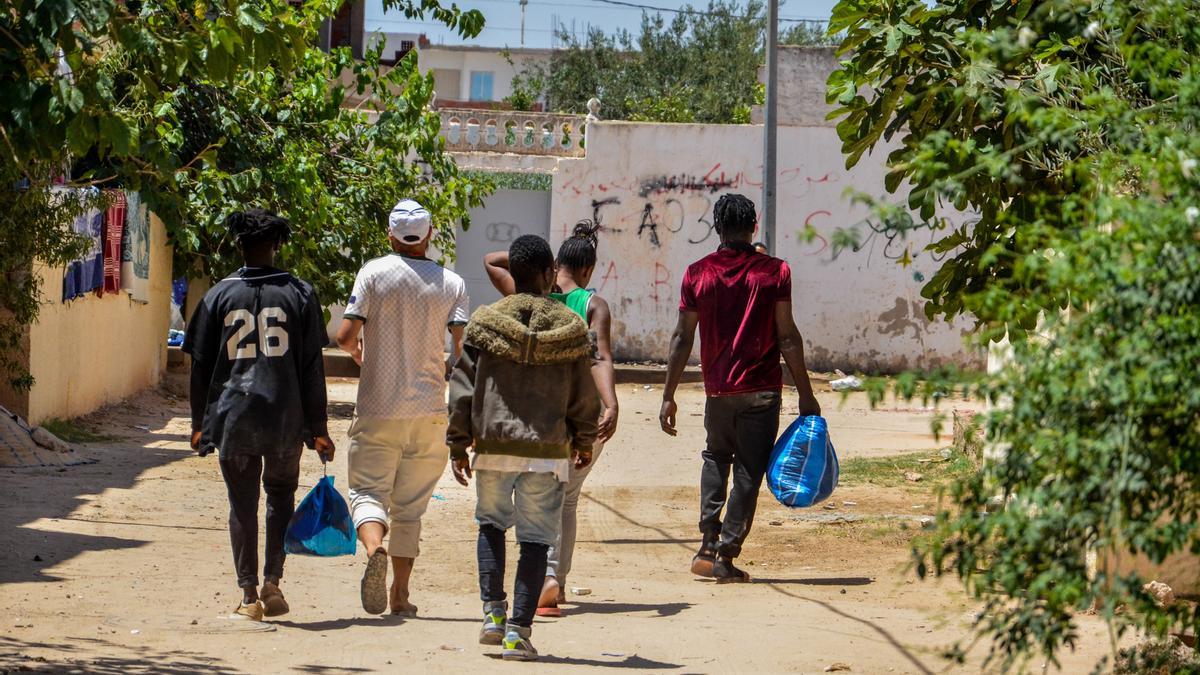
point(735, 292)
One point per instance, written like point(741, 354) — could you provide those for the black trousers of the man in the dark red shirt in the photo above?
point(742, 433)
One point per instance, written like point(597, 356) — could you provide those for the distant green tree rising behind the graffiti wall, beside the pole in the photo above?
point(701, 67)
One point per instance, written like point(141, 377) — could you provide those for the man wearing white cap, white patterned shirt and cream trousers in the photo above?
point(395, 326)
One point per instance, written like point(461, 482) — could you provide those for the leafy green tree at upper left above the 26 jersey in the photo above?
point(207, 109)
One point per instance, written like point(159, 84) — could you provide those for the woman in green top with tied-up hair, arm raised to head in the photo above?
point(574, 267)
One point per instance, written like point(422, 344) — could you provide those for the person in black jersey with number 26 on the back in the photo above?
point(259, 396)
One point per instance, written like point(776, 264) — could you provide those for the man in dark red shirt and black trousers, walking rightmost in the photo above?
point(743, 303)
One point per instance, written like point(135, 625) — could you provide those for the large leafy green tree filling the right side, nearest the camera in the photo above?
point(1069, 130)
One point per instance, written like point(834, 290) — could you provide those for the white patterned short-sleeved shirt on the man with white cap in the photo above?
point(406, 306)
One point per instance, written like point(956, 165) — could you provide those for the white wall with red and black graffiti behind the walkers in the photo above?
point(653, 188)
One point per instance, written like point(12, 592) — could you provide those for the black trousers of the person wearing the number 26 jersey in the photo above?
point(280, 480)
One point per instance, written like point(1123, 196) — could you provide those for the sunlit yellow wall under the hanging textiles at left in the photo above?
point(95, 351)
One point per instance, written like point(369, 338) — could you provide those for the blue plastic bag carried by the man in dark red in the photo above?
point(803, 469)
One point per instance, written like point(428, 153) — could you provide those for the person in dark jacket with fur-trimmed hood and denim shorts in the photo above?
point(523, 395)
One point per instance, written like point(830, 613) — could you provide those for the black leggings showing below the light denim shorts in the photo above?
point(531, 575)
